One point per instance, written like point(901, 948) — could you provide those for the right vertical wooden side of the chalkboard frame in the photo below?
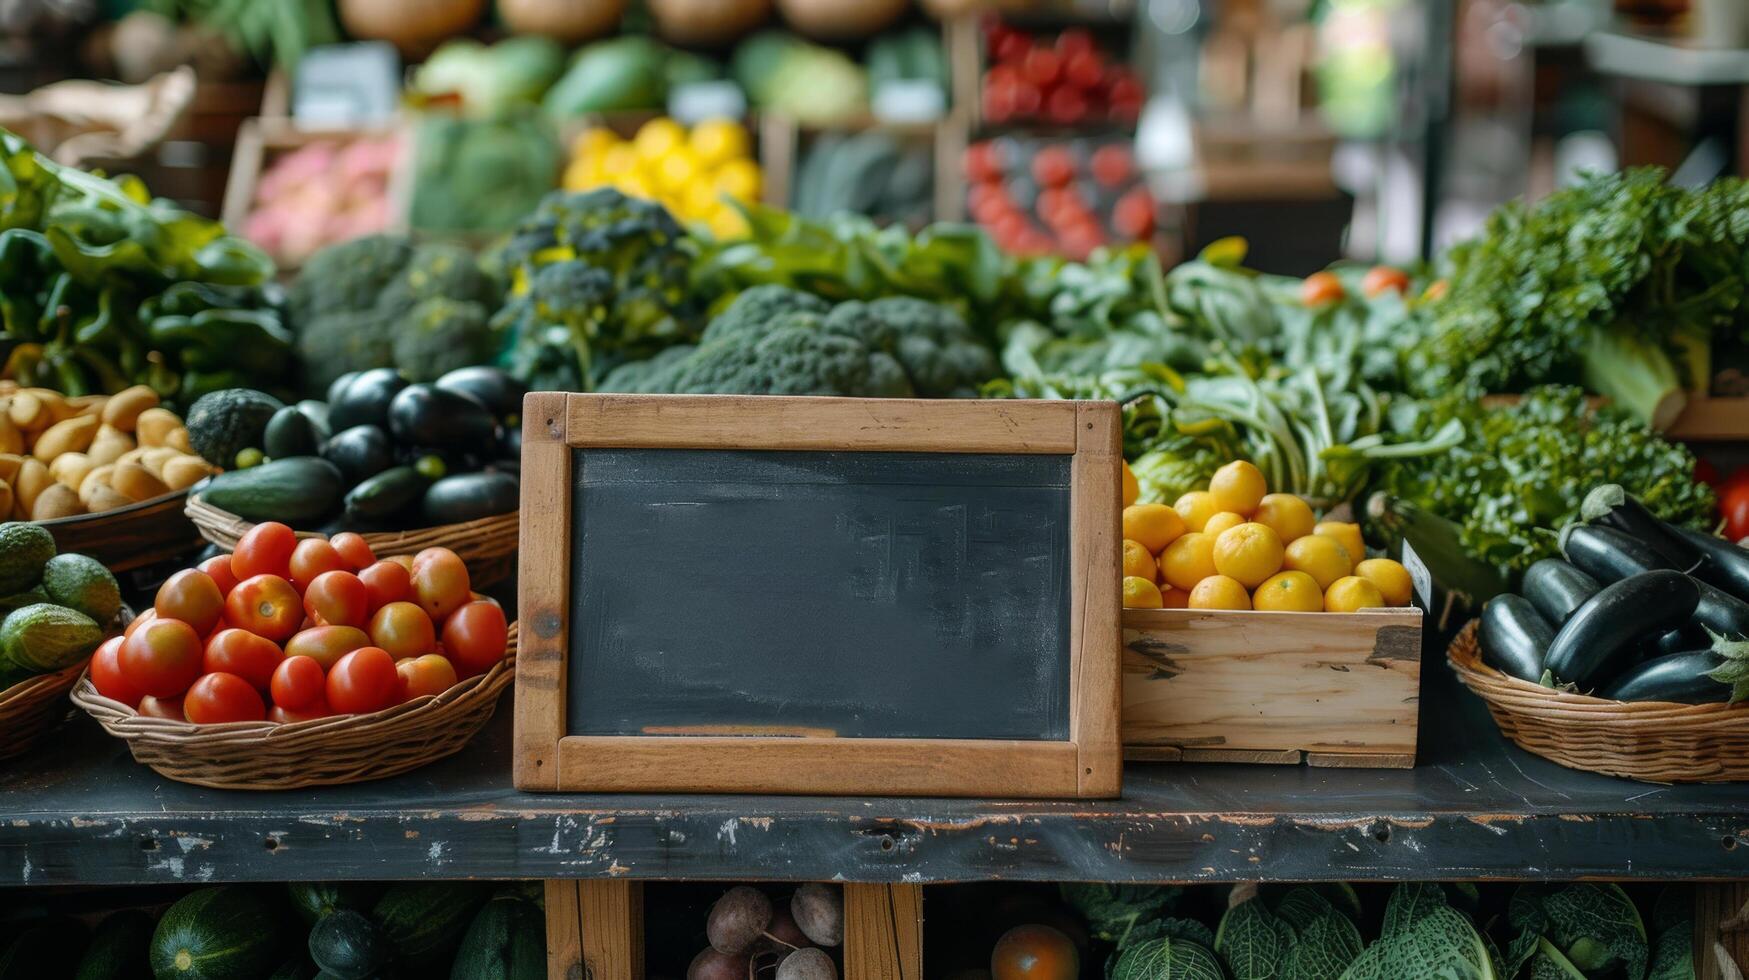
point(1096, 603)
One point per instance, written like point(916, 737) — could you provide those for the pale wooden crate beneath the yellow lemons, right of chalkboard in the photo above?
point(1325, 689)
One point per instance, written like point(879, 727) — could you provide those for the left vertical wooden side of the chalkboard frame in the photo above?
point(543, 592)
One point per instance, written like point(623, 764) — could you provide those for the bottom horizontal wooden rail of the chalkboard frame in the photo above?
point(900, 767)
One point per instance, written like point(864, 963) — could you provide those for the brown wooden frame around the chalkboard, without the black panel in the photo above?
point(1089, 764)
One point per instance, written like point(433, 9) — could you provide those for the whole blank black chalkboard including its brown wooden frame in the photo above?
point(732, 594)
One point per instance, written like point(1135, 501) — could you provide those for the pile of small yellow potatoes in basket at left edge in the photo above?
point(74, 456)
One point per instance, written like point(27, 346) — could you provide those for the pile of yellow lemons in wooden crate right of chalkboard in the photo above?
point(1239, 547)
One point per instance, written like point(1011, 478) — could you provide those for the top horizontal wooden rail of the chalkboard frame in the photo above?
point(826, 424)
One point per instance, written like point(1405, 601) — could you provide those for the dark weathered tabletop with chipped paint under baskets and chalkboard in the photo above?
point(80, 809)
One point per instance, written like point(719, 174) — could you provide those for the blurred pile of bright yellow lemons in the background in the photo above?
point(686, 171)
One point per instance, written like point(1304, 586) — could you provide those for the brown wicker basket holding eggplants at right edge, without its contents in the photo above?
point(1648, 741)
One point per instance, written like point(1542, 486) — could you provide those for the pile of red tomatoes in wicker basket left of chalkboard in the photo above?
point(289, 631)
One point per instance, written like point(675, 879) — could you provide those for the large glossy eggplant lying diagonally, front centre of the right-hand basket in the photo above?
point(1601, 640)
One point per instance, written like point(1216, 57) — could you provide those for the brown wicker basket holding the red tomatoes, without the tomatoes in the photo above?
point(328, 752)
